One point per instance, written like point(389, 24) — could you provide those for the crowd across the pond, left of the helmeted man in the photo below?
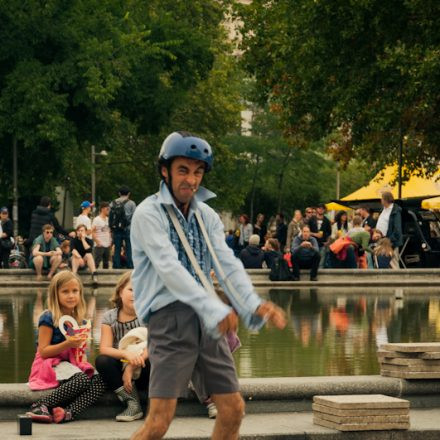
point(92, 243)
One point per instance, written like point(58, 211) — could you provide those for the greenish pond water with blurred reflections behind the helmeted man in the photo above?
point(328, 332)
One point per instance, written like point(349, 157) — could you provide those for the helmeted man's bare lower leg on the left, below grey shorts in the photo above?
point(157, 422)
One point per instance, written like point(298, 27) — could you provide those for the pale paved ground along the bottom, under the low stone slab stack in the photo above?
point(425, 425)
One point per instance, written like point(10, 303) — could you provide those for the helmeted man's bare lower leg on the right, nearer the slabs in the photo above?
point(230, 411)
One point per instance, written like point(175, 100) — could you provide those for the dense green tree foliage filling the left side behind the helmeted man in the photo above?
point(106, 73)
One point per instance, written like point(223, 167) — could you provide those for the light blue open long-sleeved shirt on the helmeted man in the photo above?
point(159, 278)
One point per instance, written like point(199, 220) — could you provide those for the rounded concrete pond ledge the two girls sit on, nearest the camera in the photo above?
point(268, 395)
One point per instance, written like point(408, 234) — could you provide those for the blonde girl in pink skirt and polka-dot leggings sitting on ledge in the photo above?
point(60, 360)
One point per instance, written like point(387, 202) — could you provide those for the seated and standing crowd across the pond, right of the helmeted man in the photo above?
point(360, 239)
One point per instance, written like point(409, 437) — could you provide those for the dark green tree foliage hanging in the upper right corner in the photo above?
point(364, 70)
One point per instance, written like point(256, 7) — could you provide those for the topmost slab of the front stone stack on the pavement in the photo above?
point(361, 401)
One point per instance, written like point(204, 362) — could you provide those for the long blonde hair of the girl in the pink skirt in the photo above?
point(53, 303)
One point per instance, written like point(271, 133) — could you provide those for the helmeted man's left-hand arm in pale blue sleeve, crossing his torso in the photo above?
point(151, 235)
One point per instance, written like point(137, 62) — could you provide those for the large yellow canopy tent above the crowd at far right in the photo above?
point(415, 186)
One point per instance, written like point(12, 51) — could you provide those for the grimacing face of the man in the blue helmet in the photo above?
point(186, 176)
